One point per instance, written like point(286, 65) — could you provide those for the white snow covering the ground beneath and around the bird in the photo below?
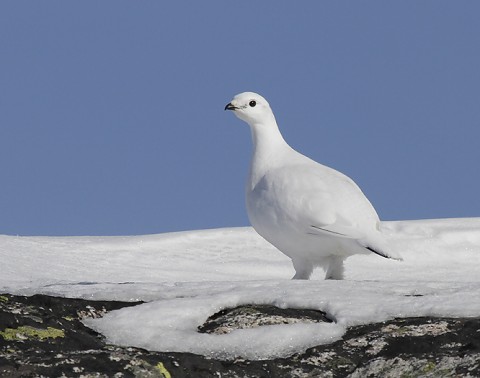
point(185, 277)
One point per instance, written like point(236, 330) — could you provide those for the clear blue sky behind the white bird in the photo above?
point(112, 120)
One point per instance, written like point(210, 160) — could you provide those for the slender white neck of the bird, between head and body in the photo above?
point(269, 149)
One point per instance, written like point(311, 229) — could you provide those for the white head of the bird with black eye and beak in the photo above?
point(251, 108)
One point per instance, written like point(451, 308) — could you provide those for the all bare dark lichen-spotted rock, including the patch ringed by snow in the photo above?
point(44, 336)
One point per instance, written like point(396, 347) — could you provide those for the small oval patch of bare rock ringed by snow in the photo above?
point(253, 316)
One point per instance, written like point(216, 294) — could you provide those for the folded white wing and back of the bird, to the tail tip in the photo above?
point(319, 201)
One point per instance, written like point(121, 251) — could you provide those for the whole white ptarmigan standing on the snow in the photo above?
point(314, 214)
